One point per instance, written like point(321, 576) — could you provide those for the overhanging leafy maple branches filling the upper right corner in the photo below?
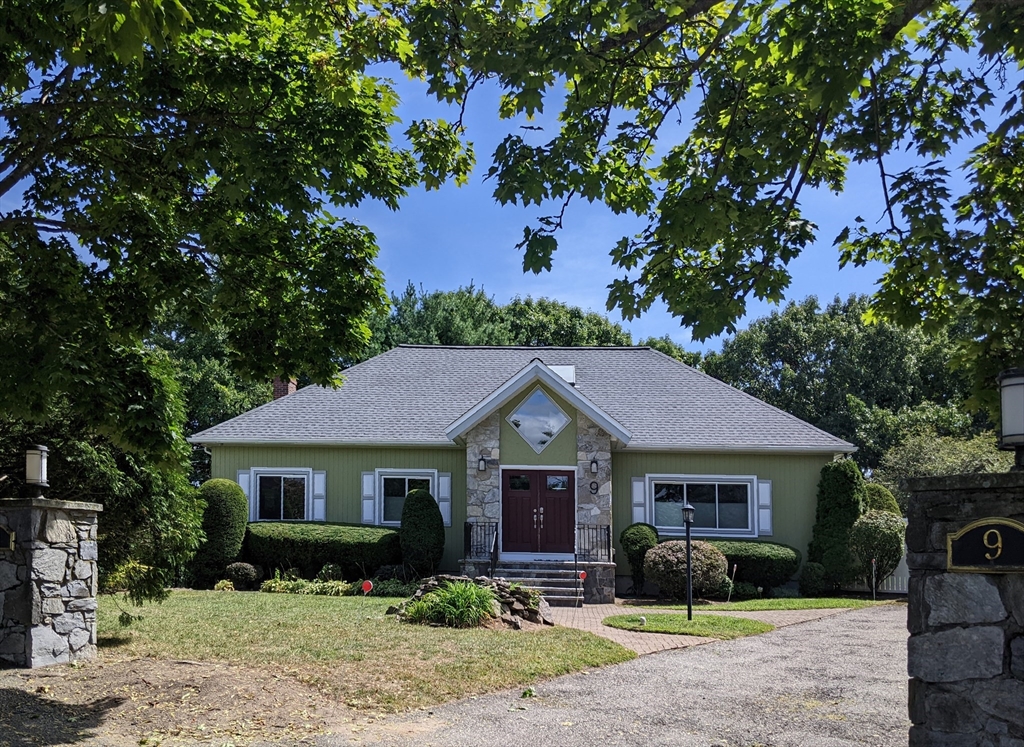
point(785, 96)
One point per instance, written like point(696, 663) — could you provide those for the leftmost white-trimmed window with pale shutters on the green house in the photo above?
point(285, 494)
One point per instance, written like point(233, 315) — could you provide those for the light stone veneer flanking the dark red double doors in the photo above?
point(484, 491)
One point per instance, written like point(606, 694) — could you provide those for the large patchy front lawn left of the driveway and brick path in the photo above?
point(350, 647)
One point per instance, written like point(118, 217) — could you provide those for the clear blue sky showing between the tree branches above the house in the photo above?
point(457, 236)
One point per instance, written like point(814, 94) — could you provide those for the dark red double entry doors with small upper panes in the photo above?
point(538, 512)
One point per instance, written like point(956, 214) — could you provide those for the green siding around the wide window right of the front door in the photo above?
point(795, 482)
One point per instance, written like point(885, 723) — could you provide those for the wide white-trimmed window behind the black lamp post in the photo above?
point(724, 506)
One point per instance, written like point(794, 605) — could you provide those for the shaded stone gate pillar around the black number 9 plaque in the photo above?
point(966, 652)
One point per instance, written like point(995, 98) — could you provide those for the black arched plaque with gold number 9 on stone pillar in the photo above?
point(989, 546)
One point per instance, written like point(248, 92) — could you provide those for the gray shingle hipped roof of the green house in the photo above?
point(411, 394)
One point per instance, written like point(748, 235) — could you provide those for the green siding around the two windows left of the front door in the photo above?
point(345, 468)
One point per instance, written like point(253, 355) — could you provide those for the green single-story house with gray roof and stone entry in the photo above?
point(543, 454)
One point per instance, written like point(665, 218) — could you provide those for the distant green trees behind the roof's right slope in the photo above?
point(869, 384)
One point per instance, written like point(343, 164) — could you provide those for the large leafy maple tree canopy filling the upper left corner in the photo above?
point(160, 157)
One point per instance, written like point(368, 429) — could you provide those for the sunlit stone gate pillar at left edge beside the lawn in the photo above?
point(49, 583)
